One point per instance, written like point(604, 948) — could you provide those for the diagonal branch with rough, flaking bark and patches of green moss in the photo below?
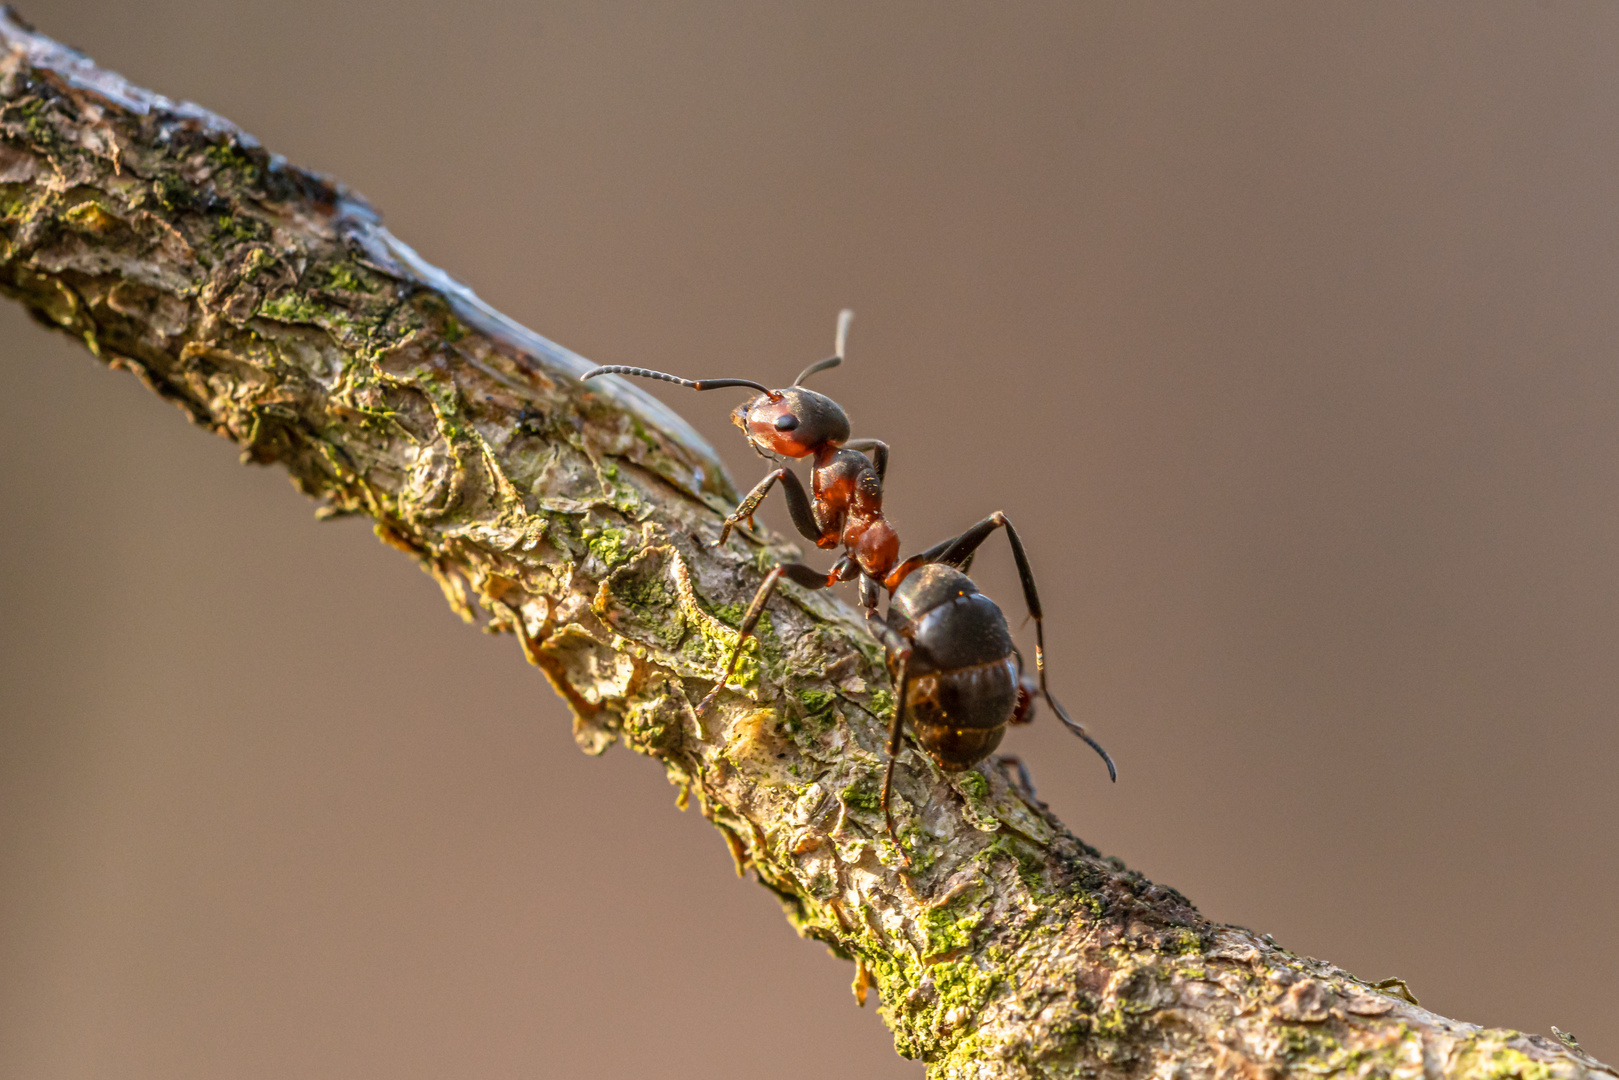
point(273, 307)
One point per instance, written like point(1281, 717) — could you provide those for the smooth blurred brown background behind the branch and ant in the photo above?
point(1288, 336)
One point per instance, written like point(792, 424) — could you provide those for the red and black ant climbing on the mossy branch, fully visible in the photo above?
point(948, 645)
